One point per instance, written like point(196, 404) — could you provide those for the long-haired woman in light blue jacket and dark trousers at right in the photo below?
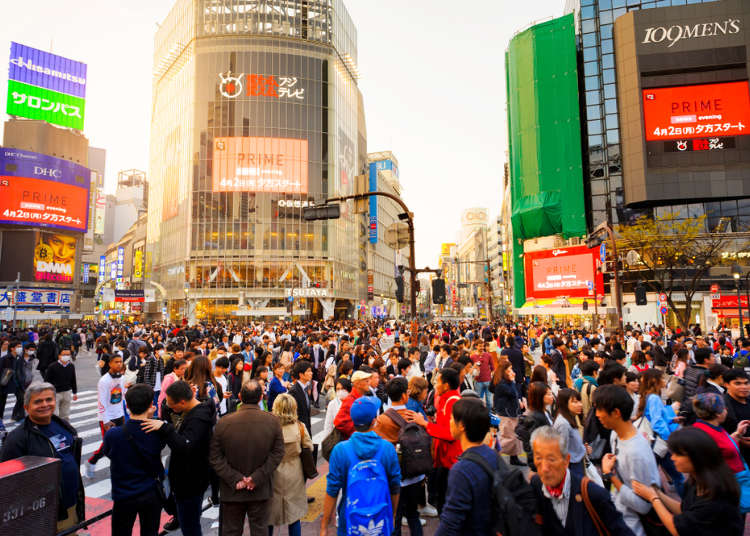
point(662, 419)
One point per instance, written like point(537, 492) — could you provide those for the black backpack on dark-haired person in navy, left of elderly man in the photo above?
point(514, 506)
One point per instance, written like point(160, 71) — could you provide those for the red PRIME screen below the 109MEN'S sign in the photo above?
point(678, 113)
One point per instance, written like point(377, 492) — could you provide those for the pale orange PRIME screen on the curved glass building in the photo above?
point(249, 164)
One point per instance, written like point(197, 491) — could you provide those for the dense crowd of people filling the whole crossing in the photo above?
point(503, 427)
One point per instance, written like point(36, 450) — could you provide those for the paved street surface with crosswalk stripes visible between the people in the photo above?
point(98, 489)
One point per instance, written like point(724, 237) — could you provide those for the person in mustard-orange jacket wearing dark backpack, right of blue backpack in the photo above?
point(413, 444)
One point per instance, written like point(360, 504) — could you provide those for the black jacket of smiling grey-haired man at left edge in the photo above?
point(27, 440)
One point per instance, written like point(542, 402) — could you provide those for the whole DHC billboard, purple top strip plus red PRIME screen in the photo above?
point(43, 191)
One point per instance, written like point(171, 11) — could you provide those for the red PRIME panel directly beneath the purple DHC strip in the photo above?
point(39, 202)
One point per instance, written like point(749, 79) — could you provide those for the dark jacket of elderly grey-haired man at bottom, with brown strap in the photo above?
point(578, 522)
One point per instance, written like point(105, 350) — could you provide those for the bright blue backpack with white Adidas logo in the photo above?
point(368, 510)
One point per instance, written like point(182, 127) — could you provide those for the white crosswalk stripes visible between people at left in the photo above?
point(83, 417)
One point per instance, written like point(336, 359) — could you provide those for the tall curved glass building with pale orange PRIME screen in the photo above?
point(256, 114)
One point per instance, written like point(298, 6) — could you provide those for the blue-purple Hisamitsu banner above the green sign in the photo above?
point(45, 70)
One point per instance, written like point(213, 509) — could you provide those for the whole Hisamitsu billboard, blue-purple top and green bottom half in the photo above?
point(45, 86)
